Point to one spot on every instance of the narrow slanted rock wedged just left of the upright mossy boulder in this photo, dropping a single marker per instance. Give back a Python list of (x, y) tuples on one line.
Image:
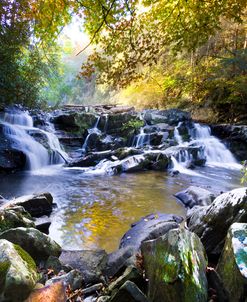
[(131, 273)]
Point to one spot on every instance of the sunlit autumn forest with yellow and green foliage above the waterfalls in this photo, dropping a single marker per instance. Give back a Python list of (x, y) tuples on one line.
[(151, 54)]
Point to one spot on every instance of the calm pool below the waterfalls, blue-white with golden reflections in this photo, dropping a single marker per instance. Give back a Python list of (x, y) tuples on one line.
[(94, 211)]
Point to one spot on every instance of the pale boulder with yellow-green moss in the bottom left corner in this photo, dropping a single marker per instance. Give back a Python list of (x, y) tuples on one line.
[(18, 274)]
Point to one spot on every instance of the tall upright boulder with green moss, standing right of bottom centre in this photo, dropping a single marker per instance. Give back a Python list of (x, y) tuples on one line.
[(175, 265)]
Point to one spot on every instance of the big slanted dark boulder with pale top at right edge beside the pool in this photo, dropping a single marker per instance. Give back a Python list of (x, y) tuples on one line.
[(211, 223)]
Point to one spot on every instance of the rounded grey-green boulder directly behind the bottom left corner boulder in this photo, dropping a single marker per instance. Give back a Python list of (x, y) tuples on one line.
[(37, 244)]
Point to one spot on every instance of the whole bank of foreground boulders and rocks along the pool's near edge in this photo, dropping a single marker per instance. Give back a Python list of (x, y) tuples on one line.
[(158, 259)]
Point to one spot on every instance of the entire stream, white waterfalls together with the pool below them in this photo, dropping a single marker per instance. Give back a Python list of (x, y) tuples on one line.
[(93, 209)]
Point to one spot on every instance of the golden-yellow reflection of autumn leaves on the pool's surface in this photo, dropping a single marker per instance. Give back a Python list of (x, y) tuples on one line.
[(100, 223)]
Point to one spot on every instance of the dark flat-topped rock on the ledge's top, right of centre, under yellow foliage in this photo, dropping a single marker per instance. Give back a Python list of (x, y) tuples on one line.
[(171, 116)]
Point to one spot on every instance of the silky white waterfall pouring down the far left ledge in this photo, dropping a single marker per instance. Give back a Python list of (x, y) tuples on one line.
[(18, 128)]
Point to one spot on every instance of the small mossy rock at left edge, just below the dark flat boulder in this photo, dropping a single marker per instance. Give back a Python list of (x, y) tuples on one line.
[(14, 217)]
